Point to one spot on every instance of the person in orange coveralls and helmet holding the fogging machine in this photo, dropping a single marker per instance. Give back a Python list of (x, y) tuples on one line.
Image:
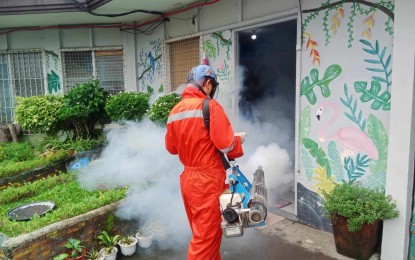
[(203, 178)]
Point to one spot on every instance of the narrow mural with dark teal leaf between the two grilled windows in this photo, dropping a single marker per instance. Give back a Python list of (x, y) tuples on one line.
[(52, 70)]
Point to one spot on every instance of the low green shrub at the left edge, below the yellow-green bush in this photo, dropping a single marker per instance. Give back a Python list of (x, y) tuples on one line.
[(16, 152)]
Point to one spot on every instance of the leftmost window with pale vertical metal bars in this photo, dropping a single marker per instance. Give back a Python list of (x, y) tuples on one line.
[(21, 74)]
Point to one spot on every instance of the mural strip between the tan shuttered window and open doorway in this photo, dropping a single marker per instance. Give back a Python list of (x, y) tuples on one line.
[(217, 49)]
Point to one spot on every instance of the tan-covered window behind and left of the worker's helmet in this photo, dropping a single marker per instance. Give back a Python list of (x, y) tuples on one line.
[(184, 55)]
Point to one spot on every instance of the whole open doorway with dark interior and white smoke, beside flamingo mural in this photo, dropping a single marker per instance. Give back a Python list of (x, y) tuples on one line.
[(267, 69)]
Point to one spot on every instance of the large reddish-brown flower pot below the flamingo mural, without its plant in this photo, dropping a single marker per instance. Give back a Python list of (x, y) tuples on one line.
[(360, 244)]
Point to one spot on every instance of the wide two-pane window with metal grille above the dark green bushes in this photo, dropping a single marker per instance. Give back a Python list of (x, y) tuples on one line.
[(105, 65)]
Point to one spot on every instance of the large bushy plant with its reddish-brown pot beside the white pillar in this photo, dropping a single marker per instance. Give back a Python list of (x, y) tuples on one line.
[(356, 213)]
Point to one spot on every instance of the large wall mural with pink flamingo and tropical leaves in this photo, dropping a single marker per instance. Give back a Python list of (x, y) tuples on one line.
[(344, 99)]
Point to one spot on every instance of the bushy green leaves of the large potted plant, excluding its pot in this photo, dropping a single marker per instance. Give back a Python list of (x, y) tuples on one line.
[(359, 205)]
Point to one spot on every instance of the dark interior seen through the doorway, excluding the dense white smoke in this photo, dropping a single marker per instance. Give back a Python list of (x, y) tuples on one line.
[(267, 94)]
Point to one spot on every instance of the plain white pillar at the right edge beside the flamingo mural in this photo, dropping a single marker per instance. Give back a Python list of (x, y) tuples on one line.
[(399, 182)]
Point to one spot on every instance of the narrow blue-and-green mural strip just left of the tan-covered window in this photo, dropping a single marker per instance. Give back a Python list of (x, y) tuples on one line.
[(150, 67)]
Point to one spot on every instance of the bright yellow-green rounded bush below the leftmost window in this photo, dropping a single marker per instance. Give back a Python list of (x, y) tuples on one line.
[(38, 113)]
